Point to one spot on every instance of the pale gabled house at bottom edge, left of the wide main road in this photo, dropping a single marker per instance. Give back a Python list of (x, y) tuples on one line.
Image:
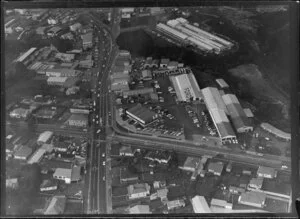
[(56, 206)]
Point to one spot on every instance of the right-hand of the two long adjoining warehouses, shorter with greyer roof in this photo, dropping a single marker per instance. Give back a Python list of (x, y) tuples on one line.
[(237, 114)]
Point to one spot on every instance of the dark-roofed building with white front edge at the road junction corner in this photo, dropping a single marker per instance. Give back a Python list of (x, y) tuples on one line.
[(141, 114)]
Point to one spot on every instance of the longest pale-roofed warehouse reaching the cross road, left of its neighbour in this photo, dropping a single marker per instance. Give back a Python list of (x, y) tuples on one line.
[(217, 110)]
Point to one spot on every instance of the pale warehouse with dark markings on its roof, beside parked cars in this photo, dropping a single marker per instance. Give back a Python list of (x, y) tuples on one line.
[(186, 87)]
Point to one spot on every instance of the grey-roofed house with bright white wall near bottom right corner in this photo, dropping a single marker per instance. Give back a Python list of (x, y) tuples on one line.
[(255, 199)]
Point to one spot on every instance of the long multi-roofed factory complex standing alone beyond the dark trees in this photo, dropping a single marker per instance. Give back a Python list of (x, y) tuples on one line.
[(181, 30)]
